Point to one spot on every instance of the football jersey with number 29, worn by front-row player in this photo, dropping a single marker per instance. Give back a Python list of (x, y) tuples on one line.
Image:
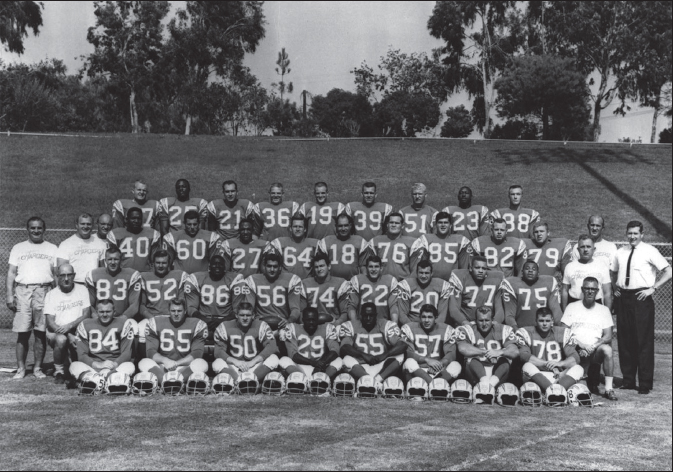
[(298, 341)]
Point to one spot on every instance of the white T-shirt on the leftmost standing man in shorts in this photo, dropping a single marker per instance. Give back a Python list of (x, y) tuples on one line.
[(34, 262)]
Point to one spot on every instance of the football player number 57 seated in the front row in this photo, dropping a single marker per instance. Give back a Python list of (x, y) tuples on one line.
[(431, 352)]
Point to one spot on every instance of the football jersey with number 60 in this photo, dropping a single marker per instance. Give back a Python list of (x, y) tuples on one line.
[(193, 253)]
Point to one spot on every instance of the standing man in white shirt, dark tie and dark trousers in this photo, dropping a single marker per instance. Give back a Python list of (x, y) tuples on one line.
[(634, 273)]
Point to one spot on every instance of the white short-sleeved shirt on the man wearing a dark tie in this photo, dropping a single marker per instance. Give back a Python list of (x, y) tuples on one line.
[(645, 264)]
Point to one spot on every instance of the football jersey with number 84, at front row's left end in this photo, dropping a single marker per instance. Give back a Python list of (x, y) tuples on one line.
[(98, 343)]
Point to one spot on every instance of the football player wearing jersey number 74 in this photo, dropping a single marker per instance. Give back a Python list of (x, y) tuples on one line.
[(326, 293)]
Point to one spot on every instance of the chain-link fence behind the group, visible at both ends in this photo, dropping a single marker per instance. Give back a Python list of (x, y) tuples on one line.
[(10, 236)]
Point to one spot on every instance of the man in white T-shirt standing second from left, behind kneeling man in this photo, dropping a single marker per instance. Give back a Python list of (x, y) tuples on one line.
[(81, 250)]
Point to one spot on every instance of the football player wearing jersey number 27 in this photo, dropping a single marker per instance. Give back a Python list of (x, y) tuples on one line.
[(244, 253)]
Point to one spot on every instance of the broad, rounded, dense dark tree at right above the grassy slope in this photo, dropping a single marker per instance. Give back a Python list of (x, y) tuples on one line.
[(549, 88)]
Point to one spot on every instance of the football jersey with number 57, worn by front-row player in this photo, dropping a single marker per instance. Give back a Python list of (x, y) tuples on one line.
[(436, 344)]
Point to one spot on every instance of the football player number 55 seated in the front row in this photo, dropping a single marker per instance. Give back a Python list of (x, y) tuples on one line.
[(371, 346)]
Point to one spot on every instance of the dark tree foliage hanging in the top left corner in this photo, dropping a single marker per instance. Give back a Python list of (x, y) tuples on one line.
[(15, 20)]
